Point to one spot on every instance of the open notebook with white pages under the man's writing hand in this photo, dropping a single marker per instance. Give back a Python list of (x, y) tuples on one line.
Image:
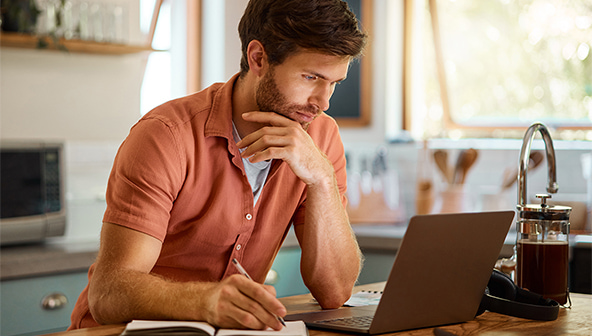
[(172, 328)]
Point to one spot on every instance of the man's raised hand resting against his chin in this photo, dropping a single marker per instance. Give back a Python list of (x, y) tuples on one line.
[(285, 139)]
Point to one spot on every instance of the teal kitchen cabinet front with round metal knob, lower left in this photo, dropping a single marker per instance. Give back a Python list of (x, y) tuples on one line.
[(39, 305)]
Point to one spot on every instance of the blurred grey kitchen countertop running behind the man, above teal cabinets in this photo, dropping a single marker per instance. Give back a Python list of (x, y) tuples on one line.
[(67, 257)]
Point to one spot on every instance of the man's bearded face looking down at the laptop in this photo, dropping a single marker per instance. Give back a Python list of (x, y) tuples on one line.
[(300, 87)]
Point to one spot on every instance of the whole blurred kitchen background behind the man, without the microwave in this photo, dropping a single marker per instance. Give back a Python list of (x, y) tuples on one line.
[(432, 118)]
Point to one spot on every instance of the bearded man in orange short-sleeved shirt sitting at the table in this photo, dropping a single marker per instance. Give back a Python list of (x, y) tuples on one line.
[(224, 173)]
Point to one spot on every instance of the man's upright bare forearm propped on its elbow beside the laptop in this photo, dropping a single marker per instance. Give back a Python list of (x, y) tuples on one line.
[(330, 254)]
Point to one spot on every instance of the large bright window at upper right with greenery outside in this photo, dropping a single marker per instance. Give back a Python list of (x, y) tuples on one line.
[(503, 64)]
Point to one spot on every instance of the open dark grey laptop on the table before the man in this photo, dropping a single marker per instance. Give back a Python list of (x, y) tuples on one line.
[(439, 276)]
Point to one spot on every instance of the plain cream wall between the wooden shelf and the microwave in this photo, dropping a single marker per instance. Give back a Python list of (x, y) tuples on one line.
[(57, 95)]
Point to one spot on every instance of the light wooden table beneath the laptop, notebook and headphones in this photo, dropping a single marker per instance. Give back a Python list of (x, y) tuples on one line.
[(574, 321)]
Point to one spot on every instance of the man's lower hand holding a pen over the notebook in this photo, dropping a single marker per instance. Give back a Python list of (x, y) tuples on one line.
[(238, 302)]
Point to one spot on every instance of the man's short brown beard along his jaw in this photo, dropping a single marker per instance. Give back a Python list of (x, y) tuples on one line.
[(270, 99)]
